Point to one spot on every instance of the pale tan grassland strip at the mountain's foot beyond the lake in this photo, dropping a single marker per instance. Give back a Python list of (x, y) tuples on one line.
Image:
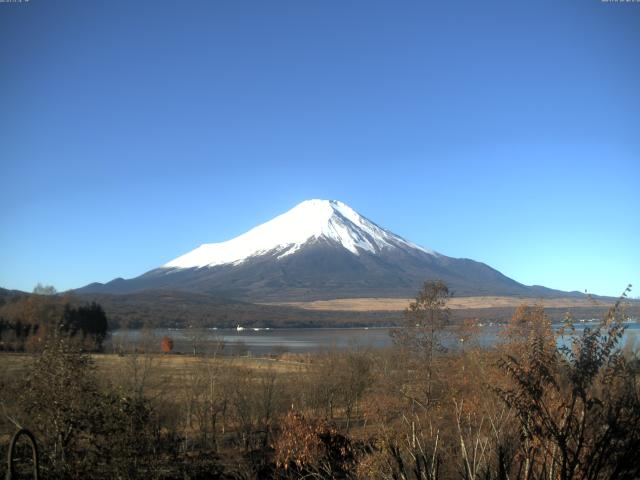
[(461, 303)]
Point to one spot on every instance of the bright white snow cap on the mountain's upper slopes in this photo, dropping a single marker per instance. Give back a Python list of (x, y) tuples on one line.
[(308, 221)]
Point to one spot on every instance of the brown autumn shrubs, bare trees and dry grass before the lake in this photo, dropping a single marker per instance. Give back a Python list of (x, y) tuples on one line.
[(525, 410)]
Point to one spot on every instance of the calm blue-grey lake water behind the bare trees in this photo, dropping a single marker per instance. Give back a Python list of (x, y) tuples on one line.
[(300, 340)]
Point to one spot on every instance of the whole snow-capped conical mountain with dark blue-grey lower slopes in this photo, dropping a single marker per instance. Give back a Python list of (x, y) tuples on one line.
[(320, 249)]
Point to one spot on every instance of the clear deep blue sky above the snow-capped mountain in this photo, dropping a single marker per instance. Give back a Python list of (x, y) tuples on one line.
[(507, 132)]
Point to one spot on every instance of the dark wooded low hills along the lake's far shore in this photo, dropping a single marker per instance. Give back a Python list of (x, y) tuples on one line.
[(180, 309)]
